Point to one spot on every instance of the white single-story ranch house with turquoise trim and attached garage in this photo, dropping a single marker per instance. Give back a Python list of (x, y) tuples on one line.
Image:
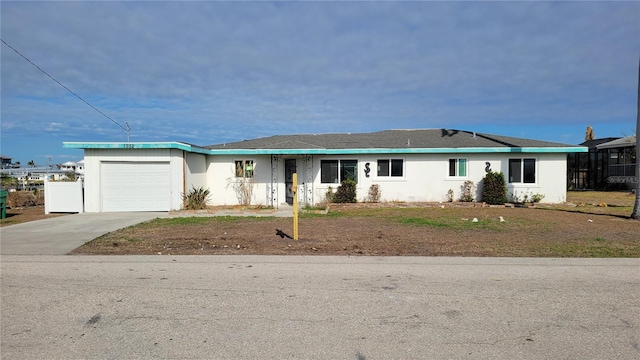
[(407, 165)]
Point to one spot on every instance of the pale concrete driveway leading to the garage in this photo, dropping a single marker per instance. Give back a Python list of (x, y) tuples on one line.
[(59, 235)]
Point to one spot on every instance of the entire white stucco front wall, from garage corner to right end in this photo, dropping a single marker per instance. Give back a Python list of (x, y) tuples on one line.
[(425, 177)]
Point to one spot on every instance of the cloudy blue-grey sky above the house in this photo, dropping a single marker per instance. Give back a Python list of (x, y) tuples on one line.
[(205, 72)]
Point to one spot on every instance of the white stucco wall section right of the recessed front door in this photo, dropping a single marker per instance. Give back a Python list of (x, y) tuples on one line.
[(425, 176)]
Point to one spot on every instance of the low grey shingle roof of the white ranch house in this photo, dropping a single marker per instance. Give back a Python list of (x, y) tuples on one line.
[(388, 139)]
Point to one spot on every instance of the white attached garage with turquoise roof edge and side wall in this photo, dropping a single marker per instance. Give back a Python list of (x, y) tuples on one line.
[(121, 177)]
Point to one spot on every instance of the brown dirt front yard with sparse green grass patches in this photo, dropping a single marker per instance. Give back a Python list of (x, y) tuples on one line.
[(580, 228)]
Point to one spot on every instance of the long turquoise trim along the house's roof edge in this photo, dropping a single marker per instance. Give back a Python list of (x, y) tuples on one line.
[(190, 148)]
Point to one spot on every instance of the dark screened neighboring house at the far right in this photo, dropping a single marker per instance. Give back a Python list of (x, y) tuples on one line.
[(608, 165)]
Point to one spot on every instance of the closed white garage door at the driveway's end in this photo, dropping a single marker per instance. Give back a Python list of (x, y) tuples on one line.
[(135, 186)]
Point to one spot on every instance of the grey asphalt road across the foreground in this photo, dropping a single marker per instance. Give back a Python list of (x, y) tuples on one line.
[(265, 307)]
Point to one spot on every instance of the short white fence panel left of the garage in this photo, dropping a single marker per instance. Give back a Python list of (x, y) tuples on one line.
[(63, 196)]
